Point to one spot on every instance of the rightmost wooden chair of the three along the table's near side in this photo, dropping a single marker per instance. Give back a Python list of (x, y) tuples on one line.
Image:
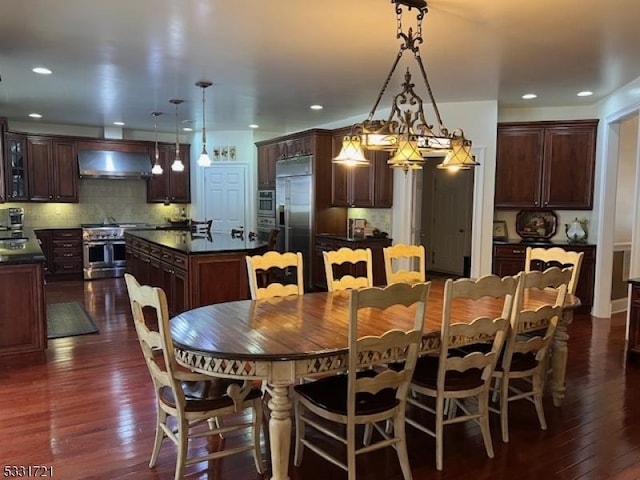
[(524, 358)]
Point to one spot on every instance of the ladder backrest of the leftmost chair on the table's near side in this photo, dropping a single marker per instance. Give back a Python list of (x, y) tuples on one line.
[(367, 352)]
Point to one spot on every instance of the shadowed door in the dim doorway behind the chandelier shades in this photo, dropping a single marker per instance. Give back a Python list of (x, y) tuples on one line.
[(447, 207)]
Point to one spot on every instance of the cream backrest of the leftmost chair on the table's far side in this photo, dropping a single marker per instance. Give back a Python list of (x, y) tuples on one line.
[(262, 263)]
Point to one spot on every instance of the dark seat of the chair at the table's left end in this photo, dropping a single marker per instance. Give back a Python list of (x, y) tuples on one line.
[(205, 395)]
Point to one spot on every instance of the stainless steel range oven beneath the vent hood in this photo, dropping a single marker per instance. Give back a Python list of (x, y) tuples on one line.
[(103, 252)]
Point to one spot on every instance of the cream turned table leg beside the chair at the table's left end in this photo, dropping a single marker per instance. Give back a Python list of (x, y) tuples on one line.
[(280, 431)]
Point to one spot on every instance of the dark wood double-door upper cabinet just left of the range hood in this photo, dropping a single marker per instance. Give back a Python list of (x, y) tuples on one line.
[(53, 170)]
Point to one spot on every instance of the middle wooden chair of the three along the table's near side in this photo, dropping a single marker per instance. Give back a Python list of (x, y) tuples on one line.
[(454, 374)]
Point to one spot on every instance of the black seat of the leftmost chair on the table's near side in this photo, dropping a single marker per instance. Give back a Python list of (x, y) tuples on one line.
[(330, 394)]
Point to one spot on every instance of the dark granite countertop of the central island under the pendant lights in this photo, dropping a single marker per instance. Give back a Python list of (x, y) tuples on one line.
[(184, 242)]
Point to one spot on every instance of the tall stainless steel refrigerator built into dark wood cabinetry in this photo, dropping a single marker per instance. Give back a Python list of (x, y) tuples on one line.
[(294, 208)]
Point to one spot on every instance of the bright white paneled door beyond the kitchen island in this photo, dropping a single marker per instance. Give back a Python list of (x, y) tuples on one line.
[(225, 197)]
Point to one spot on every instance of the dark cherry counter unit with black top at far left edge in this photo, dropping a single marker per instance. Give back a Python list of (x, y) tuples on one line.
[(23, 323)]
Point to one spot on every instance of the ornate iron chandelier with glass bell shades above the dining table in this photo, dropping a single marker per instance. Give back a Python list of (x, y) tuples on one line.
[(405, 133)]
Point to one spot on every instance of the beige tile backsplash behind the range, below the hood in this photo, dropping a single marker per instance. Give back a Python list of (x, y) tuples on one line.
[(125, 200)]
